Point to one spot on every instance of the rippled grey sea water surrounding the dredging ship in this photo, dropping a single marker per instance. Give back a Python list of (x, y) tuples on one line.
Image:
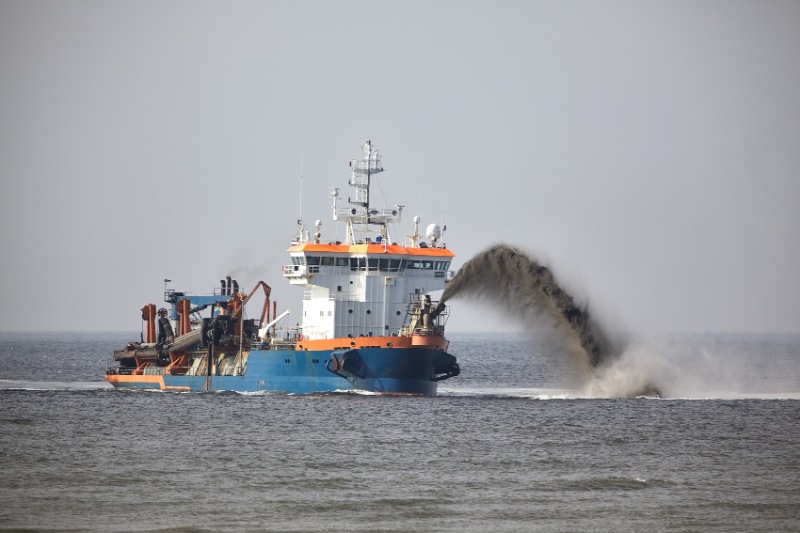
[(517, 442)]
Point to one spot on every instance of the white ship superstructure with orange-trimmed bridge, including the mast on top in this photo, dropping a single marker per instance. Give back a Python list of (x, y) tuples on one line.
[(364, 286)]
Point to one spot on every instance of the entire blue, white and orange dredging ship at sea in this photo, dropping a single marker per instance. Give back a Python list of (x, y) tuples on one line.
[(368, 321)]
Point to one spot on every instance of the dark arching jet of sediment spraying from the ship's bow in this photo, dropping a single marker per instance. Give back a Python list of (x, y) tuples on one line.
[(510, 278)]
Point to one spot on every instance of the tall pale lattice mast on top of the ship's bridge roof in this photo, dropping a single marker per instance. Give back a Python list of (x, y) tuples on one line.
[(360, 216)]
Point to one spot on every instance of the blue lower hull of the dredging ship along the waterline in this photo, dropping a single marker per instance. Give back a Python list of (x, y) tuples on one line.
[(378, 370)]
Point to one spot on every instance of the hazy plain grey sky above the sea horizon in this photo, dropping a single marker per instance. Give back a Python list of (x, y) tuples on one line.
[(649, 151)]
